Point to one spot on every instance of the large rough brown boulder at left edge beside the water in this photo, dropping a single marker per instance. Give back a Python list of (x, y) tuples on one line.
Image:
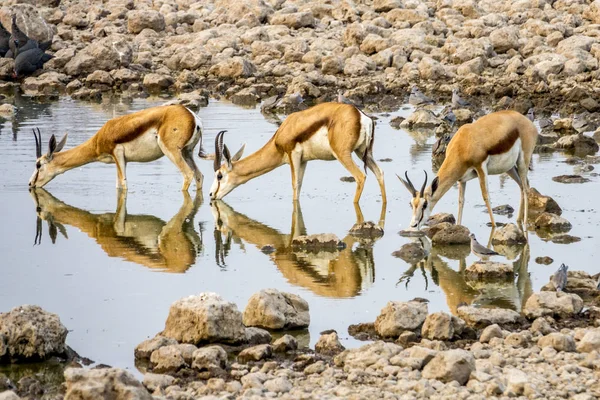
[(31, 333)]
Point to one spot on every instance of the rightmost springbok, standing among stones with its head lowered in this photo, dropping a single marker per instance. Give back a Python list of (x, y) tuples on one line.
[(494, 144)]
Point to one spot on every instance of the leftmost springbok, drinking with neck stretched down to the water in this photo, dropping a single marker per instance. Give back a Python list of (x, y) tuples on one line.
[(143, 136)]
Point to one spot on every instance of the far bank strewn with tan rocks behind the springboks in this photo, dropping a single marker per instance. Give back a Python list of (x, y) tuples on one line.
[(512, 54)]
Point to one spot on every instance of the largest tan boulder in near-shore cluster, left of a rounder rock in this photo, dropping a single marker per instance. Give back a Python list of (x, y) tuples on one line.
[(204, 318)]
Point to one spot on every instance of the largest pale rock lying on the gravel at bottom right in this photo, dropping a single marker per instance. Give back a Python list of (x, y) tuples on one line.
[(451, 365)]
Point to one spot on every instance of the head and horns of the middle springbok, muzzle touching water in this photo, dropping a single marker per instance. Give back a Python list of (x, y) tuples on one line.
[(224, 164)]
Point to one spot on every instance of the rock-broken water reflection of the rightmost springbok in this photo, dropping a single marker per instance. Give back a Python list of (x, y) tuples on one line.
[(459, 291)]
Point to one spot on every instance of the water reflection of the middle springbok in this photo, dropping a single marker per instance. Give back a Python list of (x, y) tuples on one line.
[(339, 273)]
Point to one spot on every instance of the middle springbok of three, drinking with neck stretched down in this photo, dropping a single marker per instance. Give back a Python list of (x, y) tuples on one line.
[(328, 131)]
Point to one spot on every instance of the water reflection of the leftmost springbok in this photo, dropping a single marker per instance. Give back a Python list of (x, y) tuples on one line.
[(144, 239)]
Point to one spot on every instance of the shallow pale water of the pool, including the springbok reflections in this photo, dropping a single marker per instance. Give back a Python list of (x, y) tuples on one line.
[(117, 264)]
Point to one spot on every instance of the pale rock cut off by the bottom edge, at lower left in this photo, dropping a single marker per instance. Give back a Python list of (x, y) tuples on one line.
[(105, 383)]
